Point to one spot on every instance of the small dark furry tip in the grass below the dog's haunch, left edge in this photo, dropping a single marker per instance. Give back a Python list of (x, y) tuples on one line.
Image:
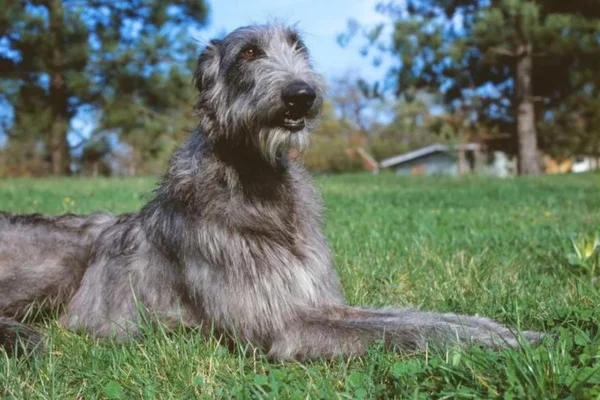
[(19, 339)]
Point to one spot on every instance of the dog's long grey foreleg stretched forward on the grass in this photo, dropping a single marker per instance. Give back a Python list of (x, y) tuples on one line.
[(350, 330)]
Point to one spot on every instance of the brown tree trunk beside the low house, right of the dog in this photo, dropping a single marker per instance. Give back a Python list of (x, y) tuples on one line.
[(529, 162)]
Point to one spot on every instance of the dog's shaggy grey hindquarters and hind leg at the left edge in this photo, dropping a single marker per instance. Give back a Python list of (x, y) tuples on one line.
[(42, 261)]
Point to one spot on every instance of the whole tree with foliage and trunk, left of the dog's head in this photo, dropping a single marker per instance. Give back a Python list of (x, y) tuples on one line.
[(61, 59)]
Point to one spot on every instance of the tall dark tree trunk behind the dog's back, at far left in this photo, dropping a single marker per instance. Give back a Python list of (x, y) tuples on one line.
[(59, 146)]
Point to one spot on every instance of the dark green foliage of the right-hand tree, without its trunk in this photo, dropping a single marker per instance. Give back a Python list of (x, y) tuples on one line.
[(467, 49)]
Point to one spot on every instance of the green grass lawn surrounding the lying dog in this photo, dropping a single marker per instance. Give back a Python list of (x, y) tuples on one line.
[(472, 245)]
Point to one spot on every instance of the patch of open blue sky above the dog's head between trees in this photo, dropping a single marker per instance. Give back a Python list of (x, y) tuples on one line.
[(319, 20)]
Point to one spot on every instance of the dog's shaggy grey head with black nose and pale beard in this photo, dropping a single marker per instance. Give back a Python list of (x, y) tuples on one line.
[(258, 84)]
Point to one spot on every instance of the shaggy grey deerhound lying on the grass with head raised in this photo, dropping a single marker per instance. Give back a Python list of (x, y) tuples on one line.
[(232, 237)]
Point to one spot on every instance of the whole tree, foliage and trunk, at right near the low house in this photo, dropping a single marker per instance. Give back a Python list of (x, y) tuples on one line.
[(523, 59)]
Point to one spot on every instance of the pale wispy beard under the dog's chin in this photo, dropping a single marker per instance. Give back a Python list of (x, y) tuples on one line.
[(277, 141)]
